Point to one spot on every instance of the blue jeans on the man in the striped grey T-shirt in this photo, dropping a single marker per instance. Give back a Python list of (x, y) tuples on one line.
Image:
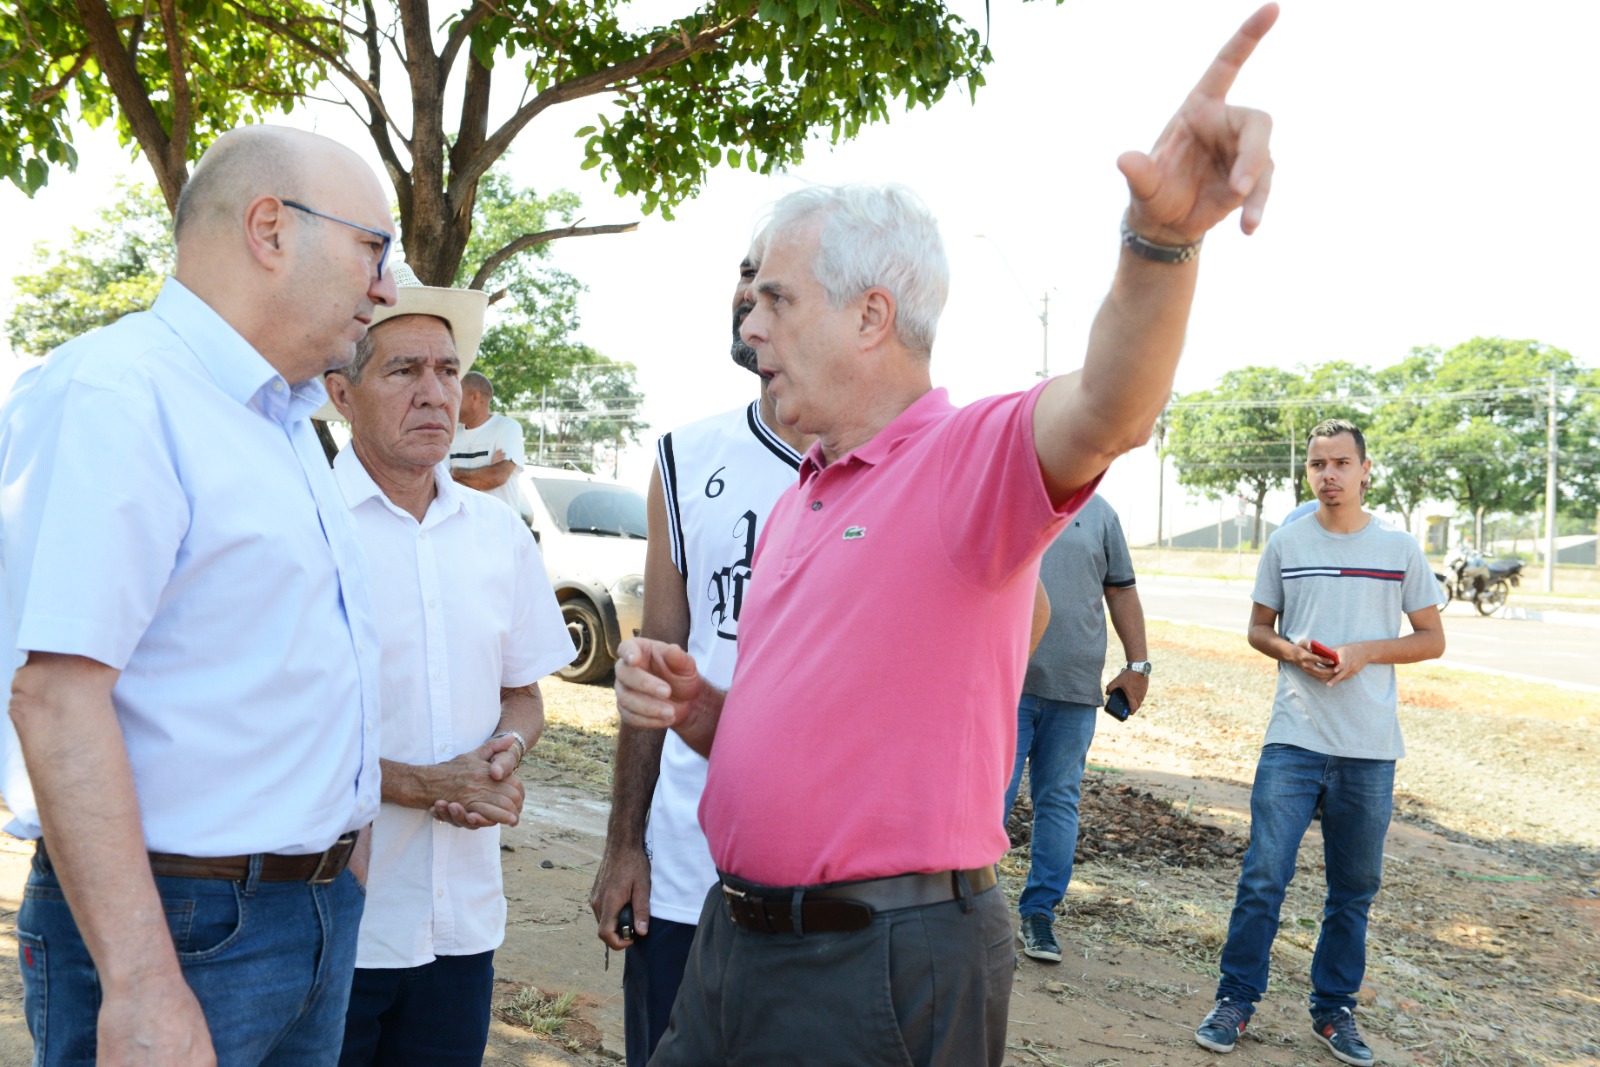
[(1356, 799)]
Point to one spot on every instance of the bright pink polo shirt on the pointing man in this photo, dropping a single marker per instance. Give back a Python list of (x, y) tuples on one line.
[(871, 722)]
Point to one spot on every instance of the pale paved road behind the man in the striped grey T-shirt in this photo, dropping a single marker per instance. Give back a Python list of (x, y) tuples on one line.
[(1550, 652)]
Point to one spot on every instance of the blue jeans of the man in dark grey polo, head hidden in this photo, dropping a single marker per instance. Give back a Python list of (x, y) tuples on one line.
[(1054, 737)]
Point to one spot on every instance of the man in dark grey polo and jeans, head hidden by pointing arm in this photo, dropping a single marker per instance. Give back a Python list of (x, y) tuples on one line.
[(1062, 700)]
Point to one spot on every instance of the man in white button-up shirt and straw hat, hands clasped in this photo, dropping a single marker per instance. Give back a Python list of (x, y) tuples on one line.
[(468, 626)]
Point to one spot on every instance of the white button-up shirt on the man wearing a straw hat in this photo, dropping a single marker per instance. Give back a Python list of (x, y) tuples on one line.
[(465, 607)]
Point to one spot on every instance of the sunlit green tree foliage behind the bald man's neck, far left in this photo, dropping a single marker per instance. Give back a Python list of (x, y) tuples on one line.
[(97, 278)]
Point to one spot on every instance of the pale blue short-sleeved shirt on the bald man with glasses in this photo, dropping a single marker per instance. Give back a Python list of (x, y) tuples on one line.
[(166, 510)]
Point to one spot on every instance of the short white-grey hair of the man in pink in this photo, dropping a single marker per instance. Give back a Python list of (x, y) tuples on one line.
[(873, 236)]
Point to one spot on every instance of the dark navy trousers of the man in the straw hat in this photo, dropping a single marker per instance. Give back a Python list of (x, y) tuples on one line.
[(434, 1015)]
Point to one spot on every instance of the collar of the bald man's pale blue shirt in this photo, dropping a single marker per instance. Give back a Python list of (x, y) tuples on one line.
[(230, 361)]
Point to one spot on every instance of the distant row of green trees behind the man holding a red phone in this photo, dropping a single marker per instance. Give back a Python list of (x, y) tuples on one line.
[(1466, 426)]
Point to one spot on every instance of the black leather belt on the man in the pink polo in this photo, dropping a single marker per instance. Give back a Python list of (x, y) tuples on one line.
[(849, 906)]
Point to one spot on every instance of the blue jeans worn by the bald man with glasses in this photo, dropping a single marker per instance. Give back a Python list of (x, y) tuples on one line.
[(270, 962)]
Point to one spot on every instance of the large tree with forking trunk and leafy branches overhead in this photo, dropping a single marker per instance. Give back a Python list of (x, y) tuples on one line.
[(740, 82)]
